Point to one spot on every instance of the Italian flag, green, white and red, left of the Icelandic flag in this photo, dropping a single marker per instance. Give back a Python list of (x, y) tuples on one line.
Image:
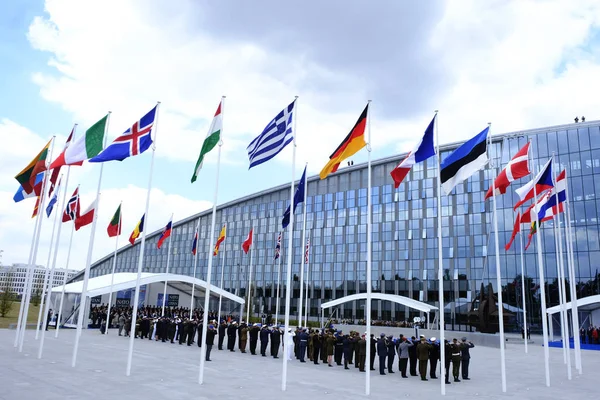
[(84, 147)]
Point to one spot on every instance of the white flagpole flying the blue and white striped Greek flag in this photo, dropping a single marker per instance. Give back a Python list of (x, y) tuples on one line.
[(290, 249)]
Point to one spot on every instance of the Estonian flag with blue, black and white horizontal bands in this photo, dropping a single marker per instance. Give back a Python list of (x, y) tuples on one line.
[(464, 161)]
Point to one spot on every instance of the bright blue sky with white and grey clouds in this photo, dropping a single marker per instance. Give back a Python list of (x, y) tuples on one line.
[(517, 64)]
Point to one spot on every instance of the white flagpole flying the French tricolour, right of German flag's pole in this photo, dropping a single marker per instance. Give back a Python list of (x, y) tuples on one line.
[(440, 262)]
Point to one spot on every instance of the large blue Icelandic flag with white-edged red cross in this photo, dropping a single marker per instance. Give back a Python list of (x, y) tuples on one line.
[(132, 142)]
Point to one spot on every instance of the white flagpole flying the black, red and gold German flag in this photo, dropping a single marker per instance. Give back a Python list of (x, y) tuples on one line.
[(369, 260)]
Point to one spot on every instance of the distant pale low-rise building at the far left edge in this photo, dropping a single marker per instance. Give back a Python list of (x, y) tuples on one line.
[(14, 277)]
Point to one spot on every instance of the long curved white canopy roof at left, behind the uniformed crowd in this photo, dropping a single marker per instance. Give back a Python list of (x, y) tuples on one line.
[(126, 280)]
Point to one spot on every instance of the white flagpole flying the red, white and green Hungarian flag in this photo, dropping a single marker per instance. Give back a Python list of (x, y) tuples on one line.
[(210, 259)]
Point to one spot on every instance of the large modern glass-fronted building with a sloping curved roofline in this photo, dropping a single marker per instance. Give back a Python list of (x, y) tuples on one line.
[(405, 249)]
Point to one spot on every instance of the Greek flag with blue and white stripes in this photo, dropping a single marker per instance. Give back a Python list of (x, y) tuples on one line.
[(278, 134)]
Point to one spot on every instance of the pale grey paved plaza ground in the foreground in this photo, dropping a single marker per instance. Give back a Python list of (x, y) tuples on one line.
[(170, 371)]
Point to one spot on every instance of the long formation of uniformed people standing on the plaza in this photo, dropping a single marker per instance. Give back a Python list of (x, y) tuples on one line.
[(331, 347)]
